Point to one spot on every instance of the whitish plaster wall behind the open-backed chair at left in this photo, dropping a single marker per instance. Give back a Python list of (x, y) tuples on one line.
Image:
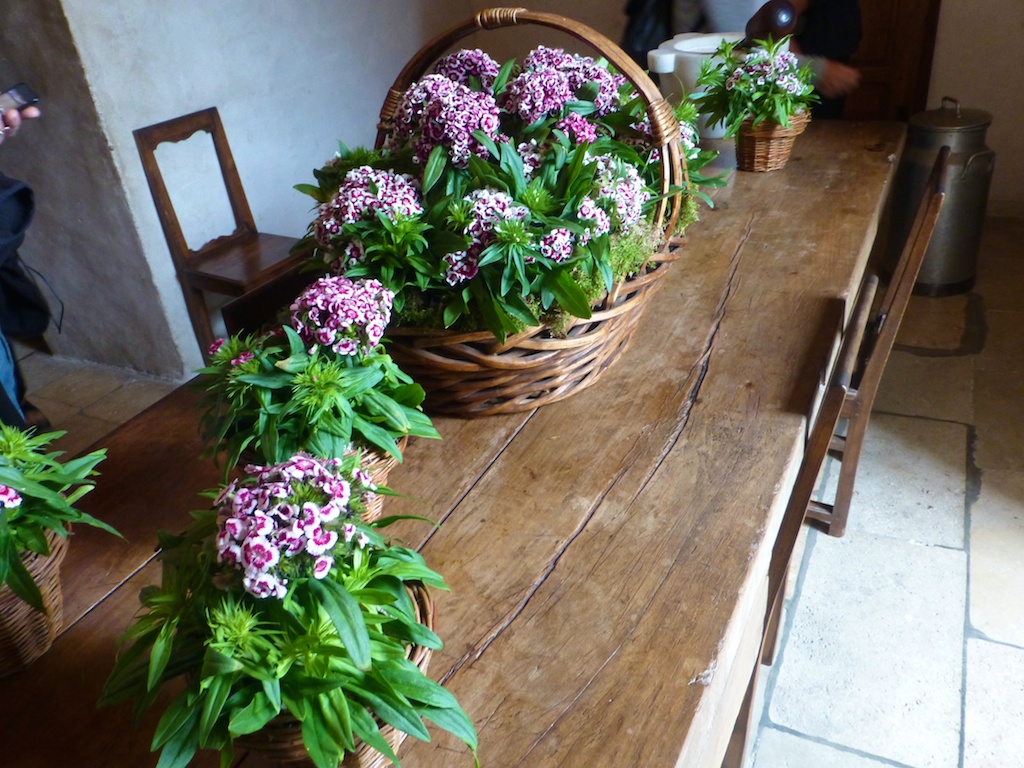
[(289, 78)]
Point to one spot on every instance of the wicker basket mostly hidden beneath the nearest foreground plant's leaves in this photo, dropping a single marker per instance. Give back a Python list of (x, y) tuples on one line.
[(280, 743)]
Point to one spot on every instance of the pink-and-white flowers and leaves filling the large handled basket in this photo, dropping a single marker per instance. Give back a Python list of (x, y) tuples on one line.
[(504, 197)]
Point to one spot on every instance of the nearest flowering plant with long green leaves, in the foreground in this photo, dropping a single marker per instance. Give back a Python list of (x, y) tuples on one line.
[(281, 602)]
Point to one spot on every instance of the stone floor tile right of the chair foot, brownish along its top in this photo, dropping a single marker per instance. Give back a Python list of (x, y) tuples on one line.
[(912, 481)]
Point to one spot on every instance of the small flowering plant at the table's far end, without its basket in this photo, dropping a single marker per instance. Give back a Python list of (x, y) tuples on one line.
[(763, 83)]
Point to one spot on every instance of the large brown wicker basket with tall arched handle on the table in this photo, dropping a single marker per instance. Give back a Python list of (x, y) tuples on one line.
[(476, 374)]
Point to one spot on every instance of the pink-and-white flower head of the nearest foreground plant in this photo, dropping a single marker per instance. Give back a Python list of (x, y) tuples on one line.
[(289, 523)]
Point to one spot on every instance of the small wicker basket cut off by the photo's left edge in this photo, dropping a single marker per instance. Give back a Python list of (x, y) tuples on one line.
[(25, 633)]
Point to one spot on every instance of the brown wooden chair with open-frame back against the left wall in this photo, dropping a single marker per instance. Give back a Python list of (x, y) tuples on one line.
[(255, 269)]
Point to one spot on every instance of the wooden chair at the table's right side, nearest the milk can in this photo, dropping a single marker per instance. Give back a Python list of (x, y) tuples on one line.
[(879, 339)]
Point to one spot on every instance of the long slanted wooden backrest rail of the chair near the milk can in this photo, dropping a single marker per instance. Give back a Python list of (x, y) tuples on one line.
[(883, 329)]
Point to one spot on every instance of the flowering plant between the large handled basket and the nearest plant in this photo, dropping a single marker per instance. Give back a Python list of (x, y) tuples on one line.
[(321, 383)]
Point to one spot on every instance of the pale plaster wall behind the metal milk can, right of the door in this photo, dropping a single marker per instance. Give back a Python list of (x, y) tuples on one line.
[(978, 62)]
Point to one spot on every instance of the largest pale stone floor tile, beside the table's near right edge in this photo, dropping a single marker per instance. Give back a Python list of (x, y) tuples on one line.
[(873, 659)]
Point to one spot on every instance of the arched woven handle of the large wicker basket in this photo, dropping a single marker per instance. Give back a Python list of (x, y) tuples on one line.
[(665, 127)]
